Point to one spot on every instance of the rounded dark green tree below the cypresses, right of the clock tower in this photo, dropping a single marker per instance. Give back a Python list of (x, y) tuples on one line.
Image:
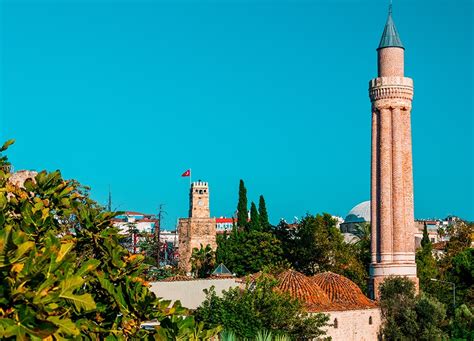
[(247, 252)]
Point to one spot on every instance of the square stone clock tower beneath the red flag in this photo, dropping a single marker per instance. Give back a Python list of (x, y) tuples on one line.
[(199, 228)]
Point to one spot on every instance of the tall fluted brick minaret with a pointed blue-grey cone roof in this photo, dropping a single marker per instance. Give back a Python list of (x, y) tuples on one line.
[(392, 215)]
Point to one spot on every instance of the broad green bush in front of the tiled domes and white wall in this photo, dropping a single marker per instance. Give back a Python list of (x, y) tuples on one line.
[(257, 307)]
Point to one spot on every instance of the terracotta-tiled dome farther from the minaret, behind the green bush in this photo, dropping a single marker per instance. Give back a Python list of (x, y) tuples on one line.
[(303, 288)]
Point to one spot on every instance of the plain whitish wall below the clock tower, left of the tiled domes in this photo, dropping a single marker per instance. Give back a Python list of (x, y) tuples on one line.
[(190, 293)]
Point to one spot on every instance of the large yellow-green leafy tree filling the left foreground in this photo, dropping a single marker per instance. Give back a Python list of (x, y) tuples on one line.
[(63, 272)]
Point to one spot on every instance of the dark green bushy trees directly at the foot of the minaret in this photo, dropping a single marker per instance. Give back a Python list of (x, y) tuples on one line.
[(406, 317)]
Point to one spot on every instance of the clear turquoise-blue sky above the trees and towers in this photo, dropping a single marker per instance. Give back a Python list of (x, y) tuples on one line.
[(131, 94)]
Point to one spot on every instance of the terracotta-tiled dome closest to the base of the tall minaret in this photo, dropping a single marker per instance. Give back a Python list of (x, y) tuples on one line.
[(342, 292)]
